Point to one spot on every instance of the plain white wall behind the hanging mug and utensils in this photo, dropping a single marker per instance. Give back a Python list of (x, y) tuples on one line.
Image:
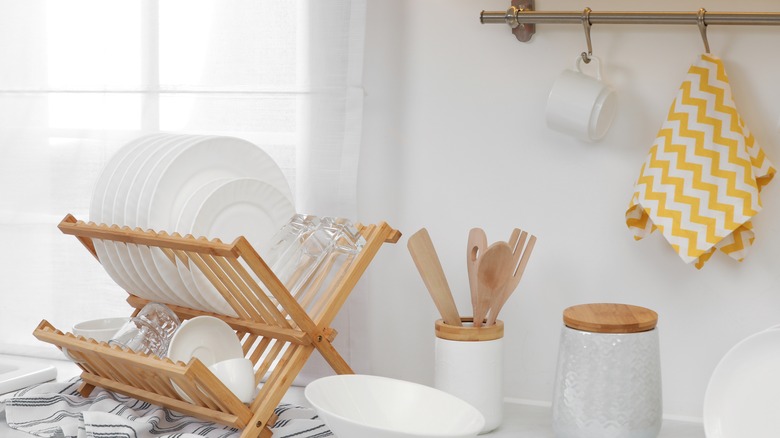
[(454, 137)]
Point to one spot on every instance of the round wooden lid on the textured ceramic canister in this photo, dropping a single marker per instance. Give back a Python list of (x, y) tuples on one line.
[(610, 318)]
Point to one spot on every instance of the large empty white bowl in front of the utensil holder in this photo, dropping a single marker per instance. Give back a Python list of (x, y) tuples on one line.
[(359, 406)]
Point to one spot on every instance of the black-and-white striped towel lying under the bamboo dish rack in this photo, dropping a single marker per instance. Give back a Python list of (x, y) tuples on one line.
[(57, 410)]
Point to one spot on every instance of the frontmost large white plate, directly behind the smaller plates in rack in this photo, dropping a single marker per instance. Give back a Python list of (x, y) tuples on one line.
[(176, 178)]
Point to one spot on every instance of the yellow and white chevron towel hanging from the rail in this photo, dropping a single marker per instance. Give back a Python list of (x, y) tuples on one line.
[(701, 181)]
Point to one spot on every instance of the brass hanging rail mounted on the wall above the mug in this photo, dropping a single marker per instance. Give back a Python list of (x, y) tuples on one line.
[(522, 17)]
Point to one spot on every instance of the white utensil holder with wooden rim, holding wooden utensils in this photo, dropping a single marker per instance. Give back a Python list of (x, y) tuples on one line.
[(469, 365)]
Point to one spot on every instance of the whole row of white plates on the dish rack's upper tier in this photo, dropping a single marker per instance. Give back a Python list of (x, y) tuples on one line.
[(217, 187)]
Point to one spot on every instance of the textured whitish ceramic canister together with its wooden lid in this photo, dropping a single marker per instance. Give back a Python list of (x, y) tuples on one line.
[(608, 381)]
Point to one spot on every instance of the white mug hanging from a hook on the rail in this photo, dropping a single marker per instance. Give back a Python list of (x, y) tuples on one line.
[(581, 105)]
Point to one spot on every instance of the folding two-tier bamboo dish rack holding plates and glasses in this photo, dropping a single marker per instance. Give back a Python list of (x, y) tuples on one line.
[(276, 333)]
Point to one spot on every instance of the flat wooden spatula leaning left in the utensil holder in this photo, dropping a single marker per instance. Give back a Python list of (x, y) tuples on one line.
[(428, 264)]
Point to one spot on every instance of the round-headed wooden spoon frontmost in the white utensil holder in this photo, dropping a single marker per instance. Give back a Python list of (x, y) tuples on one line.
[(494, 270)]
